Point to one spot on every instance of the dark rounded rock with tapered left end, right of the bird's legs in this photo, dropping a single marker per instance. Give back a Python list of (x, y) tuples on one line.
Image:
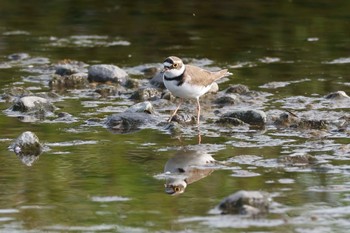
[(252, 117)]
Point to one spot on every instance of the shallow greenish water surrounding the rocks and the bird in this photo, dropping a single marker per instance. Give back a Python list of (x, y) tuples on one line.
[(90, 180)]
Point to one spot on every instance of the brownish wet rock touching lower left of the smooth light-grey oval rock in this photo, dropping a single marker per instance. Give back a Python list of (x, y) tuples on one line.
[(76, 80)]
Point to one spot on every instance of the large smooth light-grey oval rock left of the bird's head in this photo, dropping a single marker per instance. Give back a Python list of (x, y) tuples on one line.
[(106, 73)]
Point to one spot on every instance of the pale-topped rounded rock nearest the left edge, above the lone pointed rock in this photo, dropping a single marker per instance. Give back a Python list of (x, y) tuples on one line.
[(33, 104)]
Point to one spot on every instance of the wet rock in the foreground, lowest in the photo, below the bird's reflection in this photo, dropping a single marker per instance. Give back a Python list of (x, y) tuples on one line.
[(245, 203)]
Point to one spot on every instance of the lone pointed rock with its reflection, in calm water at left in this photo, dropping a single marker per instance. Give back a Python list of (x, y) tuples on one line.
[(27, 147)]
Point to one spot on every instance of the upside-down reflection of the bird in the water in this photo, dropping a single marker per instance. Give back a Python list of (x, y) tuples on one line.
[(186, 167)]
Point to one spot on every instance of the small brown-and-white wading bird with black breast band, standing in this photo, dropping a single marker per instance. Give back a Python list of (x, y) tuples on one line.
[(188, 81)]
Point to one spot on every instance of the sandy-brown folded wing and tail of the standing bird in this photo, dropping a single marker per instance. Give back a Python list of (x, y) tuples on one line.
[(199, 76)]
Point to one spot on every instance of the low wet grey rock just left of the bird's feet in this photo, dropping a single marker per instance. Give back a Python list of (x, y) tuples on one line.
[(126, 122)]
